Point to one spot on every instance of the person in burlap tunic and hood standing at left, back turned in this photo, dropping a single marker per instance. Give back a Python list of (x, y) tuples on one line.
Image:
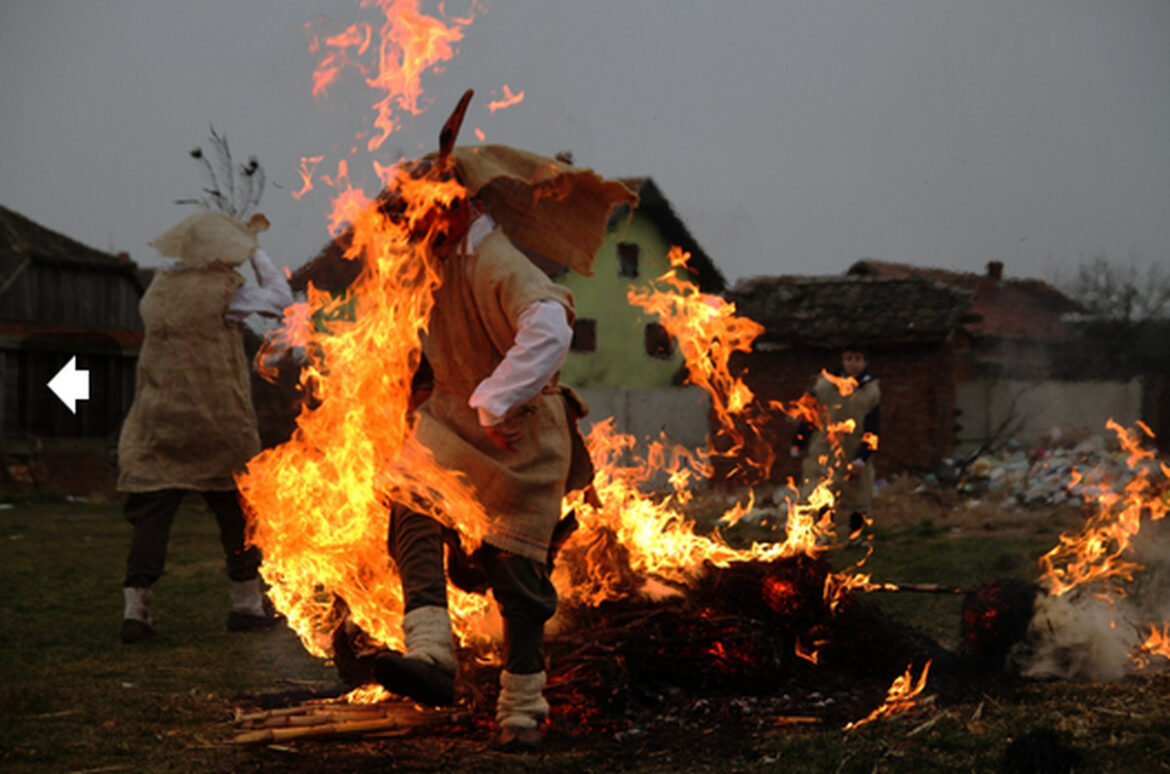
[(192, 424)]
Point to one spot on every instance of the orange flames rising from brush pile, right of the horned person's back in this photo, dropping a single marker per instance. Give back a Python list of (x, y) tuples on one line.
[(655, 534)]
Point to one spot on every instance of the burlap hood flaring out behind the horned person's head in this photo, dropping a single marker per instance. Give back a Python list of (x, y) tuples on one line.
[(543, 206)]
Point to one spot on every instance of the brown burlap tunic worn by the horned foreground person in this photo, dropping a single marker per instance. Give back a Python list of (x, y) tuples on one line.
[(473, 326)]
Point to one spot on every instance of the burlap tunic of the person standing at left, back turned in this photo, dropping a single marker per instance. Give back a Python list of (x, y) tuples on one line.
[(192, 423)]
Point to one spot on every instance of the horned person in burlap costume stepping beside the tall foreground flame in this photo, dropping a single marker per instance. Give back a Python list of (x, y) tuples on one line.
[(499, 333)]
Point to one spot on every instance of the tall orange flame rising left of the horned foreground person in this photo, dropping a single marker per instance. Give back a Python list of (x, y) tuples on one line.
[(319, 503)]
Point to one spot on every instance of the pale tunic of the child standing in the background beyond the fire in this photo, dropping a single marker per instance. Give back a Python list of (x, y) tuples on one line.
[(856, 493)]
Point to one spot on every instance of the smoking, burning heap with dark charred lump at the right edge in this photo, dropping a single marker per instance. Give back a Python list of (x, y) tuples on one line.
[(1099, 610)]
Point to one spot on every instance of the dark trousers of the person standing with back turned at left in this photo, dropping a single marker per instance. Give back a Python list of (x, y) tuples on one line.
[(153, 514)]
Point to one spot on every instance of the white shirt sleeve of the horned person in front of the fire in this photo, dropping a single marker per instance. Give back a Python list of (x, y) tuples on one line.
[(542, 343)]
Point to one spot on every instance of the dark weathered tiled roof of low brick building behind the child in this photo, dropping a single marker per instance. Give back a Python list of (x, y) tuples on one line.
[(832, 312)]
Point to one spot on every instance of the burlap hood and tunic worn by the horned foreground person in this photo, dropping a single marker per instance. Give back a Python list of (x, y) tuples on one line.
[(559, 212)]
